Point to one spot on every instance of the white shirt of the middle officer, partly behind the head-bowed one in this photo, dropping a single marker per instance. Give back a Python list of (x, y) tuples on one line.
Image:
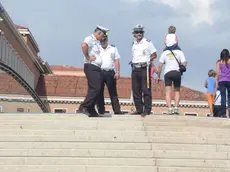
[(108, 56)]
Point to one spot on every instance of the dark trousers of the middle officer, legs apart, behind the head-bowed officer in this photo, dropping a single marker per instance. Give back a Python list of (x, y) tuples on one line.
[(107, 77)]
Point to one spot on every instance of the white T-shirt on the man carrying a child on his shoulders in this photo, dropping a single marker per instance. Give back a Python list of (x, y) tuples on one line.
[(169, 60)]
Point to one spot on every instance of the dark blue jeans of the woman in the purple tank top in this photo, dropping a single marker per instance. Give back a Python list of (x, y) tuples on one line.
[(224, 86)]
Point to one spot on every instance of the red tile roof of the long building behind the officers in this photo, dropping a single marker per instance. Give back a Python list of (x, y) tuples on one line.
[(76, 86)]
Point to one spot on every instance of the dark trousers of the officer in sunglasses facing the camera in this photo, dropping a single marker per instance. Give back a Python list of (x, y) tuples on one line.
[(139, 86)]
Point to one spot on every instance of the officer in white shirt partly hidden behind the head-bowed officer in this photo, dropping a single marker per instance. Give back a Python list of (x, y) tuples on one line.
[(110, 73)]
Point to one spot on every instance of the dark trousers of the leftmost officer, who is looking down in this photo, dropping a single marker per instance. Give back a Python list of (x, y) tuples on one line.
[(93, 75)]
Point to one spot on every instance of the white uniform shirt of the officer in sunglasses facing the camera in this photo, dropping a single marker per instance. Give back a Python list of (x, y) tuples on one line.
[(141, 51)]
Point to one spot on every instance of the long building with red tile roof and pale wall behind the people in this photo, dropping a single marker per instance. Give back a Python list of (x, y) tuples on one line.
[(66, 88)]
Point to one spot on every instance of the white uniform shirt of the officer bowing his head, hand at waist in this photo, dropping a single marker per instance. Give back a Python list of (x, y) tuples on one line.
[(93, 50)]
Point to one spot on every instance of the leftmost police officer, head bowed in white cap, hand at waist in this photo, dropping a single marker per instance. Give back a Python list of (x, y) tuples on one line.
[(92, 70)]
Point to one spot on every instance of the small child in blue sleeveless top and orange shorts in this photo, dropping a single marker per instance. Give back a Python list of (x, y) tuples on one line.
[(210, 84)]
